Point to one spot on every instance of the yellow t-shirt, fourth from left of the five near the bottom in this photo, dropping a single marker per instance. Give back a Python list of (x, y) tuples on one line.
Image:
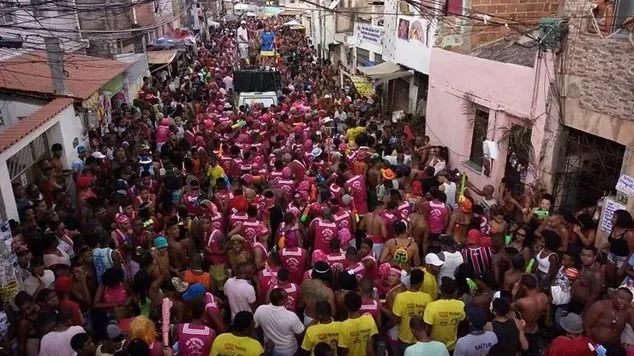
[(406, 305)]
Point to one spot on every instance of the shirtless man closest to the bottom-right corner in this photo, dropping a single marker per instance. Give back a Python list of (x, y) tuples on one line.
[(605, 320)]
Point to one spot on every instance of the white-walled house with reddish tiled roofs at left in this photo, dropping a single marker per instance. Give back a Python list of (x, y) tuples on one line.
[(34, 116)]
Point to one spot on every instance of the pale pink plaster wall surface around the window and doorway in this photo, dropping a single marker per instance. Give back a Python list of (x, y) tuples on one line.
[(512, 93)]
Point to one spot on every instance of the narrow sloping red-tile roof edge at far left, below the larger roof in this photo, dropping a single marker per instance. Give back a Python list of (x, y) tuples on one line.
[(15, 133)]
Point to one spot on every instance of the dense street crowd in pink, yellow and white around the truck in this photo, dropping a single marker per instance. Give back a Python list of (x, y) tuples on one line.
[(316, 226)]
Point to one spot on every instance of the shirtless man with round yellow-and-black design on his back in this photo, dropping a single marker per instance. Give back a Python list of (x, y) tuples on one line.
[(401, 250)]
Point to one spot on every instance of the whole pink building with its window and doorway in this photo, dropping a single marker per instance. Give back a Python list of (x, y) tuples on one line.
[(500, 99)]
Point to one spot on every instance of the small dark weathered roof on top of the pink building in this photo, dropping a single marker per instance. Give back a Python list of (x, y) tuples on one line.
[(520, 50)]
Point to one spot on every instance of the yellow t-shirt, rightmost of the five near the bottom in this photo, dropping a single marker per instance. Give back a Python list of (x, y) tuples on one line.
[(444, 315)]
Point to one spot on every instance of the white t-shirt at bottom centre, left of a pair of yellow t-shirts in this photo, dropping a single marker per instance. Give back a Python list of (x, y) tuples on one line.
[(280, 326)]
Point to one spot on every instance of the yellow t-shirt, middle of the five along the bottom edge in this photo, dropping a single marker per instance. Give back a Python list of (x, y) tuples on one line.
[(354, 334)]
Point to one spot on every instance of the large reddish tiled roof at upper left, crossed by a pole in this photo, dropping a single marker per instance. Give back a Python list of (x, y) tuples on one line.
[(29, 72)]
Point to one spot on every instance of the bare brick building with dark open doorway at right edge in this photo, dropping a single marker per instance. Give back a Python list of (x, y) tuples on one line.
[(591, 116)]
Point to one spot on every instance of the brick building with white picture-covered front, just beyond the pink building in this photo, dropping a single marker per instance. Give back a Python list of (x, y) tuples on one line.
[(411, 32)]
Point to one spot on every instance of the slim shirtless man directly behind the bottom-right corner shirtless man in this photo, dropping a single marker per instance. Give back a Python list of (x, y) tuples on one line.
[(587, 288)]
